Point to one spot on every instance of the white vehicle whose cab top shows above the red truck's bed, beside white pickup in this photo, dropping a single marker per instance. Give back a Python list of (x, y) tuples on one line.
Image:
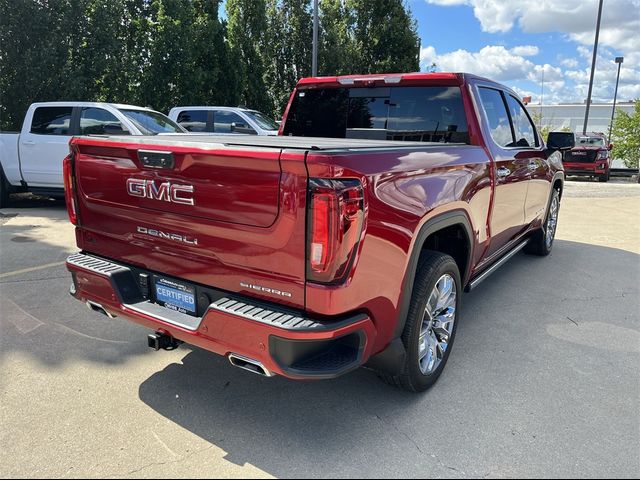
[(224, 120)]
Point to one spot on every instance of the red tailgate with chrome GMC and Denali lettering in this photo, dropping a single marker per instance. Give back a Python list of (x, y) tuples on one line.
[(230, 217)]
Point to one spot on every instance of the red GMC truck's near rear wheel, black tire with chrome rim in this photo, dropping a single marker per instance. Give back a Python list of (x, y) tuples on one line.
[(431, 322)]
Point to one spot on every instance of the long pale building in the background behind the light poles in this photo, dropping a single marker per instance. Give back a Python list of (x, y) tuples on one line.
[(571, 115)]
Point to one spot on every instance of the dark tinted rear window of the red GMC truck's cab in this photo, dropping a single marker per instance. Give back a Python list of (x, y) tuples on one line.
[(427, 114)]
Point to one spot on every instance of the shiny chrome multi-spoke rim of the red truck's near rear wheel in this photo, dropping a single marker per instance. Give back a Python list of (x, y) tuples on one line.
[(437, 324)]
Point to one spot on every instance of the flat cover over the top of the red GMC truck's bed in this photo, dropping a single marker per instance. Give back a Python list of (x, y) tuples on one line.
[(279, 142)]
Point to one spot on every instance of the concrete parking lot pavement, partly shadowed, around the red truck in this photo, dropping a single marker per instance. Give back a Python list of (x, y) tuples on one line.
[(543, 381)]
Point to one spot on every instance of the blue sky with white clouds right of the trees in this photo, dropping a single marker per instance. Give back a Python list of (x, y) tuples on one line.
[(515, 41)]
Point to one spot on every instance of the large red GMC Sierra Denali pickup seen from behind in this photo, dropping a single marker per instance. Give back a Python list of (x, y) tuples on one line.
[(309, 257)]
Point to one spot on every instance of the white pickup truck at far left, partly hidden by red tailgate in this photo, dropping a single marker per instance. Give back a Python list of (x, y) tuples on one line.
[(32, 159)]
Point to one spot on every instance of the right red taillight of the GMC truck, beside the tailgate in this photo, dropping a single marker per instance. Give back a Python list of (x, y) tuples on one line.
[(336, 217)]
